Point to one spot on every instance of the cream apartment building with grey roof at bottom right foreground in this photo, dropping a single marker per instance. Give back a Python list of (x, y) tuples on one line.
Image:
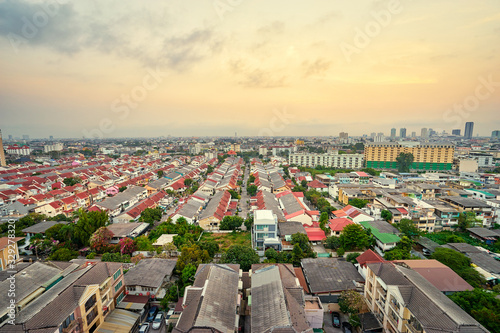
[(404, 301)]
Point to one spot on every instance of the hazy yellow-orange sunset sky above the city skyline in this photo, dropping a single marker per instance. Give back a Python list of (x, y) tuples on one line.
[(215, 67)]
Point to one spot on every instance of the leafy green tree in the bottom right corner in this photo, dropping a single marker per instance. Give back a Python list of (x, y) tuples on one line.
[(481, 305)]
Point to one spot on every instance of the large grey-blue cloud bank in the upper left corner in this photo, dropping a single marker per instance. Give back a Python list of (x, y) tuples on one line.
[(142, 35)]
